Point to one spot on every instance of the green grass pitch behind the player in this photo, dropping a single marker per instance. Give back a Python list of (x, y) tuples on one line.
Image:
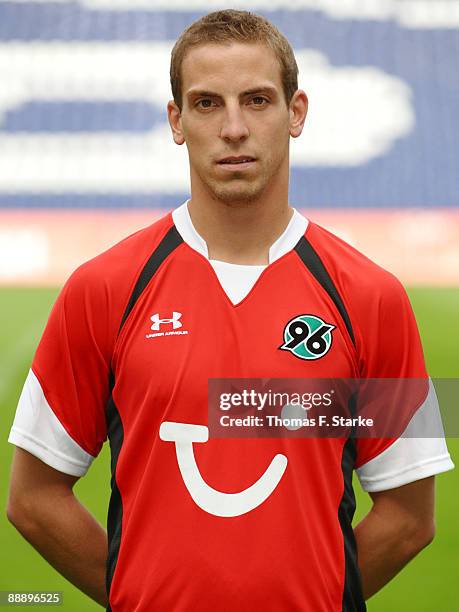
[(429, 583)]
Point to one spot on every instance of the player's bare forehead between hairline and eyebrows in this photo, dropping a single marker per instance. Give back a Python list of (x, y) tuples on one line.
[(230, 67)]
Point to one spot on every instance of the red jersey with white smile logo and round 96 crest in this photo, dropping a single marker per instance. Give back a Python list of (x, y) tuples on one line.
[(128, 351)]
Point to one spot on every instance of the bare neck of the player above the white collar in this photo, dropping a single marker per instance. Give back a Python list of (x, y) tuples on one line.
[(240, 232)]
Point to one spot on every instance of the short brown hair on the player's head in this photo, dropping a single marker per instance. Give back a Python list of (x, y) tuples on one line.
[(227, 26)]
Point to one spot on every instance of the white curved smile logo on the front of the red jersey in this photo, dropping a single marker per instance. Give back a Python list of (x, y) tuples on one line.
[(208, 499)]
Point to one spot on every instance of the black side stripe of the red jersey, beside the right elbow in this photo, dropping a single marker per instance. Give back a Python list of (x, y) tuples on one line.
[(353, 600)]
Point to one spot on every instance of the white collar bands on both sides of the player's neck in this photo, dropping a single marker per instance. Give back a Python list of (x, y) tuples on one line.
[(285, 243)]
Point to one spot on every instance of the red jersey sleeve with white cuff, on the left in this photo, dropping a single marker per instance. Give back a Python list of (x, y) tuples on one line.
[(60, 416)]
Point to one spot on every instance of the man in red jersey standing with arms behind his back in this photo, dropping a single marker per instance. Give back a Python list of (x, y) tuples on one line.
[(209, 292)]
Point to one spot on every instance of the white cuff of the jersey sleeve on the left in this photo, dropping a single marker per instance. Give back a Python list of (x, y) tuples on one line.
[(37, 430)]
